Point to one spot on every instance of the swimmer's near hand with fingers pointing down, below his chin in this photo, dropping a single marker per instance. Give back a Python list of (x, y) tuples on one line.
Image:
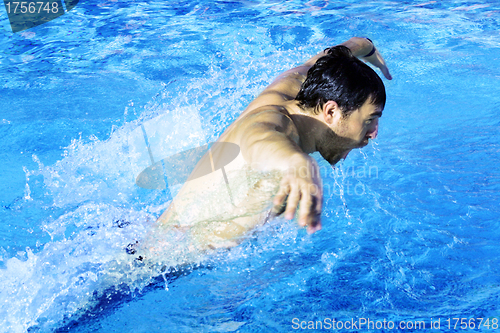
[(301, 184)]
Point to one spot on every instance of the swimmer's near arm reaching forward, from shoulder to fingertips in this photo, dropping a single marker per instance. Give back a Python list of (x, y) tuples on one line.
[(269, 141)]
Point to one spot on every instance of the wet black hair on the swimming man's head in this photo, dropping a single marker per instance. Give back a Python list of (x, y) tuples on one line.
[(341, 77)]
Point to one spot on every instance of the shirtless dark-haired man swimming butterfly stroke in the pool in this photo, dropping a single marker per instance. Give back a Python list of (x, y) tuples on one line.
[(330, 104)]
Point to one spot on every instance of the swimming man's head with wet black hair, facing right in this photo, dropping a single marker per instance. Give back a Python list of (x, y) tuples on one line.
[(348, 96)]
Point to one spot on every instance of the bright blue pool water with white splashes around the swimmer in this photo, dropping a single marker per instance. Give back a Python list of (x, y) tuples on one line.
[(410, 223)]
